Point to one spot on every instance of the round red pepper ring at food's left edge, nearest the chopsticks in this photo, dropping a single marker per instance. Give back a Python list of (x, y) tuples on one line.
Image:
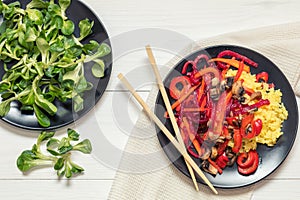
[(180, 81)]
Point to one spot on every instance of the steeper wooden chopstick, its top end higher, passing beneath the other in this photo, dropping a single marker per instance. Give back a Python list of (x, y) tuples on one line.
[(169, 109)]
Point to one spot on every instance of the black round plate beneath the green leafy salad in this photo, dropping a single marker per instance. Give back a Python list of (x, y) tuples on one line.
[(65, 114)]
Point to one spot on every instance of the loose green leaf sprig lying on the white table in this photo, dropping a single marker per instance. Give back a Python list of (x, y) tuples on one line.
[(58, 156)]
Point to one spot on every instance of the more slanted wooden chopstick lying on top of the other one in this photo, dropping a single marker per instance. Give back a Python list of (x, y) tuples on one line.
[(167, 133)]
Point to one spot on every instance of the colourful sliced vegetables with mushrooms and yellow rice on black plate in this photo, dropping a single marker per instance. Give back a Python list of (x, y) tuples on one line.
[(224, 111)]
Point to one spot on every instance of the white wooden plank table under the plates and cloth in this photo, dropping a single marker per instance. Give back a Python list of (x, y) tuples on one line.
[(193, 19)]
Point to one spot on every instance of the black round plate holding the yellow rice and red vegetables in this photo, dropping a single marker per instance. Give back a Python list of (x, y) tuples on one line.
[(271, 158)]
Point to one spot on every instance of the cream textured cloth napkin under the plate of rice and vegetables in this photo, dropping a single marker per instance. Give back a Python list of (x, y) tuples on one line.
[(146, 173)]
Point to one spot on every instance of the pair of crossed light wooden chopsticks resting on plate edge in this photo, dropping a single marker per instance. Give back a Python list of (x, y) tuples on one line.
[(179, 145)]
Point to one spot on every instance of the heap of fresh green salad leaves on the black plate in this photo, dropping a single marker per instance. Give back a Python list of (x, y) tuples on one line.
[(43, 59)]
